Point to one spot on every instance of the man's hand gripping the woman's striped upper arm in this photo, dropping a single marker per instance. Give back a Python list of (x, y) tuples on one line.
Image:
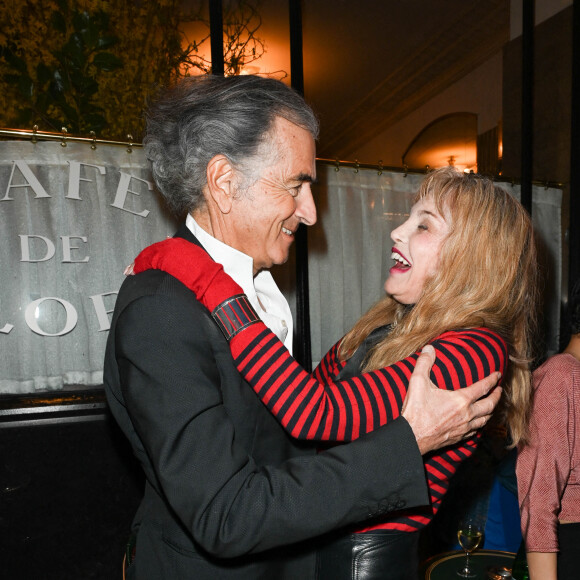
[(439, 417)]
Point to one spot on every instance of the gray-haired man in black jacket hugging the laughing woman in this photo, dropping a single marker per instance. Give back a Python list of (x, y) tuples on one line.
[(228, 494)]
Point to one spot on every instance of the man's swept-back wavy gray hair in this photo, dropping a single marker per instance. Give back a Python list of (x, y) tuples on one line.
[(201, 117)]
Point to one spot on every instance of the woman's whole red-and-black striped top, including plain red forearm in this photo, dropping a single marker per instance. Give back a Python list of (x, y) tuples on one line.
[(320, 407)]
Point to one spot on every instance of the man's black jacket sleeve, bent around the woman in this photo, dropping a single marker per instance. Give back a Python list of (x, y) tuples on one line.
[(172, 388)]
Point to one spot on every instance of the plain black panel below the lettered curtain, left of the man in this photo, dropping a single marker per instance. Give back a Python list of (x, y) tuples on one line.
[(69, 488)]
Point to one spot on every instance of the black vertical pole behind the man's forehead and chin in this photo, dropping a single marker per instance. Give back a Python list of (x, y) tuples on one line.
[(303, 351)]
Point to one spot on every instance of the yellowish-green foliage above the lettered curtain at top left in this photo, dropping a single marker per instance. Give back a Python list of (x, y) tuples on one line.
[(91, 65)]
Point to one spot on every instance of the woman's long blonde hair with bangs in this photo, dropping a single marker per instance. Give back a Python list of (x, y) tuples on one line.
[(487, 276)]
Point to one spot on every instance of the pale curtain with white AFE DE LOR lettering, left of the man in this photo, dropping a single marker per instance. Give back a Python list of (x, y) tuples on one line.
[(72, 219)]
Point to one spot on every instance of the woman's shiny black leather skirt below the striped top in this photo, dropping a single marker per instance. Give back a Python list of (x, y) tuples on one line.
[(381, 555)]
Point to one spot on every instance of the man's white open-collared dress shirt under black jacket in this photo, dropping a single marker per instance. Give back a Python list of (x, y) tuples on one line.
[(261, 290)]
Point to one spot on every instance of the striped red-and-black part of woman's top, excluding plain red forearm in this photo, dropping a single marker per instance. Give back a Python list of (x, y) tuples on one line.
[(318, 407)]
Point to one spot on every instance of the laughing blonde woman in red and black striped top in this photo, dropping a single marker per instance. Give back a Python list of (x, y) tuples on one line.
[(463, 281)]
